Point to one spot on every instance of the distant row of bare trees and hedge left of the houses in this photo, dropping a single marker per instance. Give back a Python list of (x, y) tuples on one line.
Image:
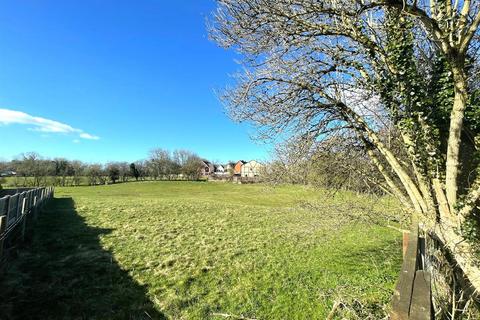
[(31, 169)]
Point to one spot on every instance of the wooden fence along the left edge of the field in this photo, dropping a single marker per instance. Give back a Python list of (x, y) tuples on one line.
[(16, 209)]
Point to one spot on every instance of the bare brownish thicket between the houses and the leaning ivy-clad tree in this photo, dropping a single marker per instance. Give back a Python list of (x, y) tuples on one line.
[(329, 164)]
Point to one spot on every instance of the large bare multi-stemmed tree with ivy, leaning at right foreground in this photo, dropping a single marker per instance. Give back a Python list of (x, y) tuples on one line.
[(353, 68)]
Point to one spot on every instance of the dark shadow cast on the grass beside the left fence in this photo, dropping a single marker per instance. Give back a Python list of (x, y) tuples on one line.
[(64, 273)]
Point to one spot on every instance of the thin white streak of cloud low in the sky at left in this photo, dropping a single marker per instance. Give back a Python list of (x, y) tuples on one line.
[(41, 124)]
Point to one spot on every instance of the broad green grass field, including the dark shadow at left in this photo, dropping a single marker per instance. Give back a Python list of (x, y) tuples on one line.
[(185, 250)]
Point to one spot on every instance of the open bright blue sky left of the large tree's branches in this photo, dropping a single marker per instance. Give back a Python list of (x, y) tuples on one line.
[(110, 80)]
